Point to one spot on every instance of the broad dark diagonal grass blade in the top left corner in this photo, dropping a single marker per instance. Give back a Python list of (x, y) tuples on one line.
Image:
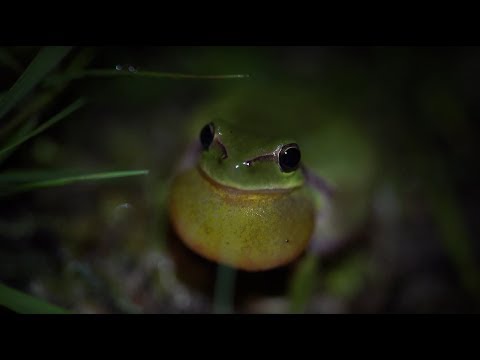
[(41, 65)]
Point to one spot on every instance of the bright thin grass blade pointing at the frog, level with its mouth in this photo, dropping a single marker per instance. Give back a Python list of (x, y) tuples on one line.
[(73, 179)]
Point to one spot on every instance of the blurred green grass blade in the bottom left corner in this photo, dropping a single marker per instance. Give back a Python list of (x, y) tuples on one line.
[(26, 304)]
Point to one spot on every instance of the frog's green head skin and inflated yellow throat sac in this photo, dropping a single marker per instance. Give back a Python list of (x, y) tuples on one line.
[(238, 207)]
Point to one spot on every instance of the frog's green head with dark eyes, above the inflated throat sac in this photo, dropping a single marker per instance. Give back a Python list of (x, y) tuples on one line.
[(235, 158)]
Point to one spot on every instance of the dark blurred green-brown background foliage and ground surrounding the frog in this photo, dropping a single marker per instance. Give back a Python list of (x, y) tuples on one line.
[(393, 128)]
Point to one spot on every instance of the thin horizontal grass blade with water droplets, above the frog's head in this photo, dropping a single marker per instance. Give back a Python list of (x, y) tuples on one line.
[(146, 74)]
